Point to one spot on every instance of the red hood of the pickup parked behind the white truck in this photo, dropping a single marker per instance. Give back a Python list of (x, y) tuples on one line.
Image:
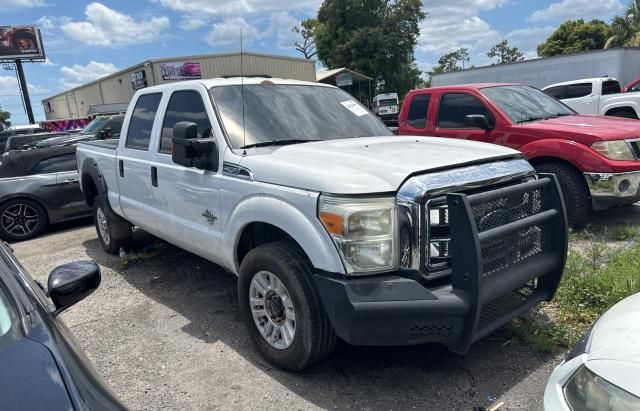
[(591, 128)]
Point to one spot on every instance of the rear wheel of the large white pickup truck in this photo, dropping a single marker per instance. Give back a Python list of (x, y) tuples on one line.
[(113, 231)]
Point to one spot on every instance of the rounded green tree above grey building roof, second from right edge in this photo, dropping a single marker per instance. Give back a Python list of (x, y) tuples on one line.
[(574, 36)]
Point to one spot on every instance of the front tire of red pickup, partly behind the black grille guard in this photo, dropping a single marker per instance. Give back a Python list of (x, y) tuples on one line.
[(575, 192)]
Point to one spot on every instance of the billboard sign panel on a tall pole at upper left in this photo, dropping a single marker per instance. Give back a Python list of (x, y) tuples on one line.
[(20, 43)]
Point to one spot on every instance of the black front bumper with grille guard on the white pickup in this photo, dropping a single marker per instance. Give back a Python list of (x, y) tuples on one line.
[(404, 308)]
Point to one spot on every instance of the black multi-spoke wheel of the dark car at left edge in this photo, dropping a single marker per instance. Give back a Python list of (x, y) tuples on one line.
[(21, 219)]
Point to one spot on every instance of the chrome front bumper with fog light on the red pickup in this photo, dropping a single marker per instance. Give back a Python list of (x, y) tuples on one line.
[(613, 189)]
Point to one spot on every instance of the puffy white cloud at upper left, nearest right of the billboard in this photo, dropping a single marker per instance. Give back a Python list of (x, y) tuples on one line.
[(108, 27)]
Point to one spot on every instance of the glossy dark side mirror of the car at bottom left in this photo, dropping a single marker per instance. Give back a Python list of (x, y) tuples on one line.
[(70, 283)]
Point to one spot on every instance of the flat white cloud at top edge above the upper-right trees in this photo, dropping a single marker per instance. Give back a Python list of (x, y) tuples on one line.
[(574, 9)]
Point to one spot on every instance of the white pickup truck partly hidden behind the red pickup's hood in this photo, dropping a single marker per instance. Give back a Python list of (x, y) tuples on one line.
[(600, 95)]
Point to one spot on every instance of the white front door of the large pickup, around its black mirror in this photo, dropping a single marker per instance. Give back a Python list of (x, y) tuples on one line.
[(187, 199)]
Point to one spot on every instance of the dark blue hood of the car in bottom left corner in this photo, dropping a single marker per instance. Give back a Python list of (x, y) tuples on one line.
[(30, 379)]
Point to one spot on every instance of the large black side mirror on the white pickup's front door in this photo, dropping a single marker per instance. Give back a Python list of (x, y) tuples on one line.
[(191, 151)]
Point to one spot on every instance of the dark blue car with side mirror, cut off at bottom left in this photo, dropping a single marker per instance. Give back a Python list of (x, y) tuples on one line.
[(43, 366)]
